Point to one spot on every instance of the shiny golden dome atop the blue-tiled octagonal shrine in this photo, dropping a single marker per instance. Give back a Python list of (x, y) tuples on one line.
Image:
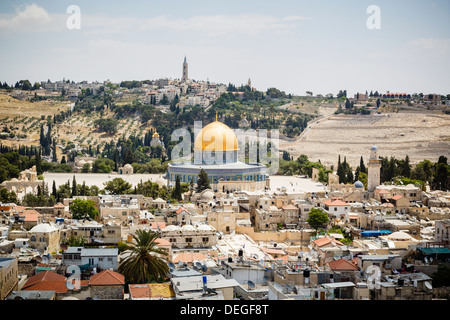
[(216, 136)]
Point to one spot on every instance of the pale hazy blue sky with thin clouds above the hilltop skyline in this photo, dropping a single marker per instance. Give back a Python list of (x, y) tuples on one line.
[(296, 46)]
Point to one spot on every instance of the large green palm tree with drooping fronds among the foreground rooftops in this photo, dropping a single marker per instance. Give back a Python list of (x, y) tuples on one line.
[(145, 262)]
